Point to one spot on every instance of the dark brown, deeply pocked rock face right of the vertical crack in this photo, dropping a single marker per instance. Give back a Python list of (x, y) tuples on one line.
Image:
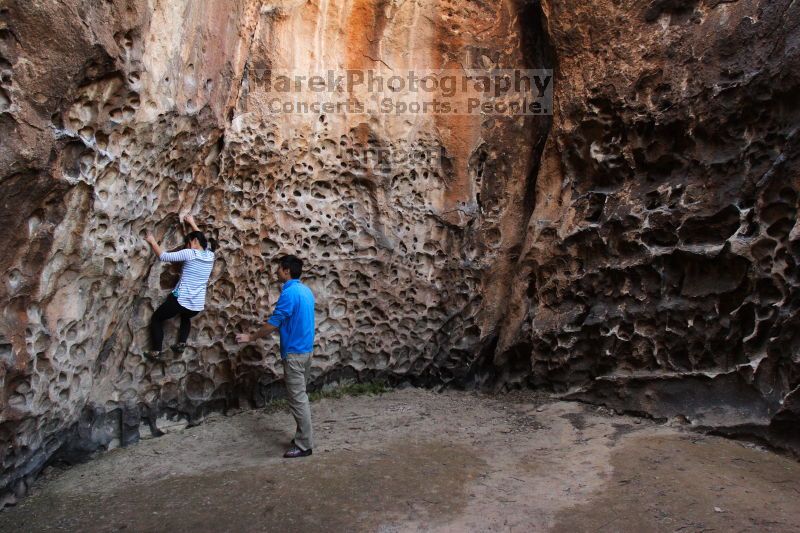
[(659, 272)]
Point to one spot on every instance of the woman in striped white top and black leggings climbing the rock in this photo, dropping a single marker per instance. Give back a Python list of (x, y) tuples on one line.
[(189, 296)]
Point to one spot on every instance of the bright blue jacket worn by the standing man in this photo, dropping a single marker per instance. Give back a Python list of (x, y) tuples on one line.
[(294, 318)]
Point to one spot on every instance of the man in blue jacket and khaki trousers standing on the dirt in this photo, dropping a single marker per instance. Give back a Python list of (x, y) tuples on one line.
[(293, 318)]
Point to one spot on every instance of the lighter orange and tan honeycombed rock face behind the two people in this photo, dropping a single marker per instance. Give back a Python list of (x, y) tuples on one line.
[(119, 117)]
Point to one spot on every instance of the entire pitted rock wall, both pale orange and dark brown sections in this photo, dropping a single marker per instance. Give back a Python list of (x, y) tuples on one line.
[(638, 249)]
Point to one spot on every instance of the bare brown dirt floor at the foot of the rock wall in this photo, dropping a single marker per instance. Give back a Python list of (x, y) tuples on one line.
[(415, 460)]
